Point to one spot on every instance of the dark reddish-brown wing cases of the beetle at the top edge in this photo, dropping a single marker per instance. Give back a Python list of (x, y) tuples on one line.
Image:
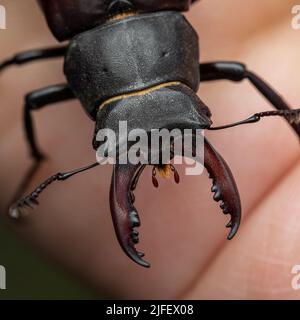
[(67, 18)]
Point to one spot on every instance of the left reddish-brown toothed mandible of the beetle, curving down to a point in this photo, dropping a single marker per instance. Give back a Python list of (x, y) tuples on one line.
[(124, 214)]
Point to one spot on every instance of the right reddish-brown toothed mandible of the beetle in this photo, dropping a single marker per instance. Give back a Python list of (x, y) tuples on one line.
[(224, 186)]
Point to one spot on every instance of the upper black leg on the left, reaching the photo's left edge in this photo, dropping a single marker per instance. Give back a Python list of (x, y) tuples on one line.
[(33, 55)]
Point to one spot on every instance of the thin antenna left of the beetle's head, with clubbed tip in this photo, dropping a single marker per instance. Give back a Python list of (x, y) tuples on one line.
[(32, 199)]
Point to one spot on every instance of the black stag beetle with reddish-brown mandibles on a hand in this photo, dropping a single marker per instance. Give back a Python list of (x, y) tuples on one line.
[(124, 58)]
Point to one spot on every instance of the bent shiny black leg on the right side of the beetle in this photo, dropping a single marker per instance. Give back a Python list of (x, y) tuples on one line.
[(235, 71)]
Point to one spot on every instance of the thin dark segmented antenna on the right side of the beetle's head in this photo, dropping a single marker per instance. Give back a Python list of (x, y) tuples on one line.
[(292, 116)]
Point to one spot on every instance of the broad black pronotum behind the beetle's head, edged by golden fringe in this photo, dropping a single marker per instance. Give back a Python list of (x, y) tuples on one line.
[(132, 54)]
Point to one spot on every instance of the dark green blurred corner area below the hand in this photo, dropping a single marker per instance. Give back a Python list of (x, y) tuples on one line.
[(29, 277)]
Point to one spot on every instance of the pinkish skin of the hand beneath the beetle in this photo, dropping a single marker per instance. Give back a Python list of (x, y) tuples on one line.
[(183, 230)]
